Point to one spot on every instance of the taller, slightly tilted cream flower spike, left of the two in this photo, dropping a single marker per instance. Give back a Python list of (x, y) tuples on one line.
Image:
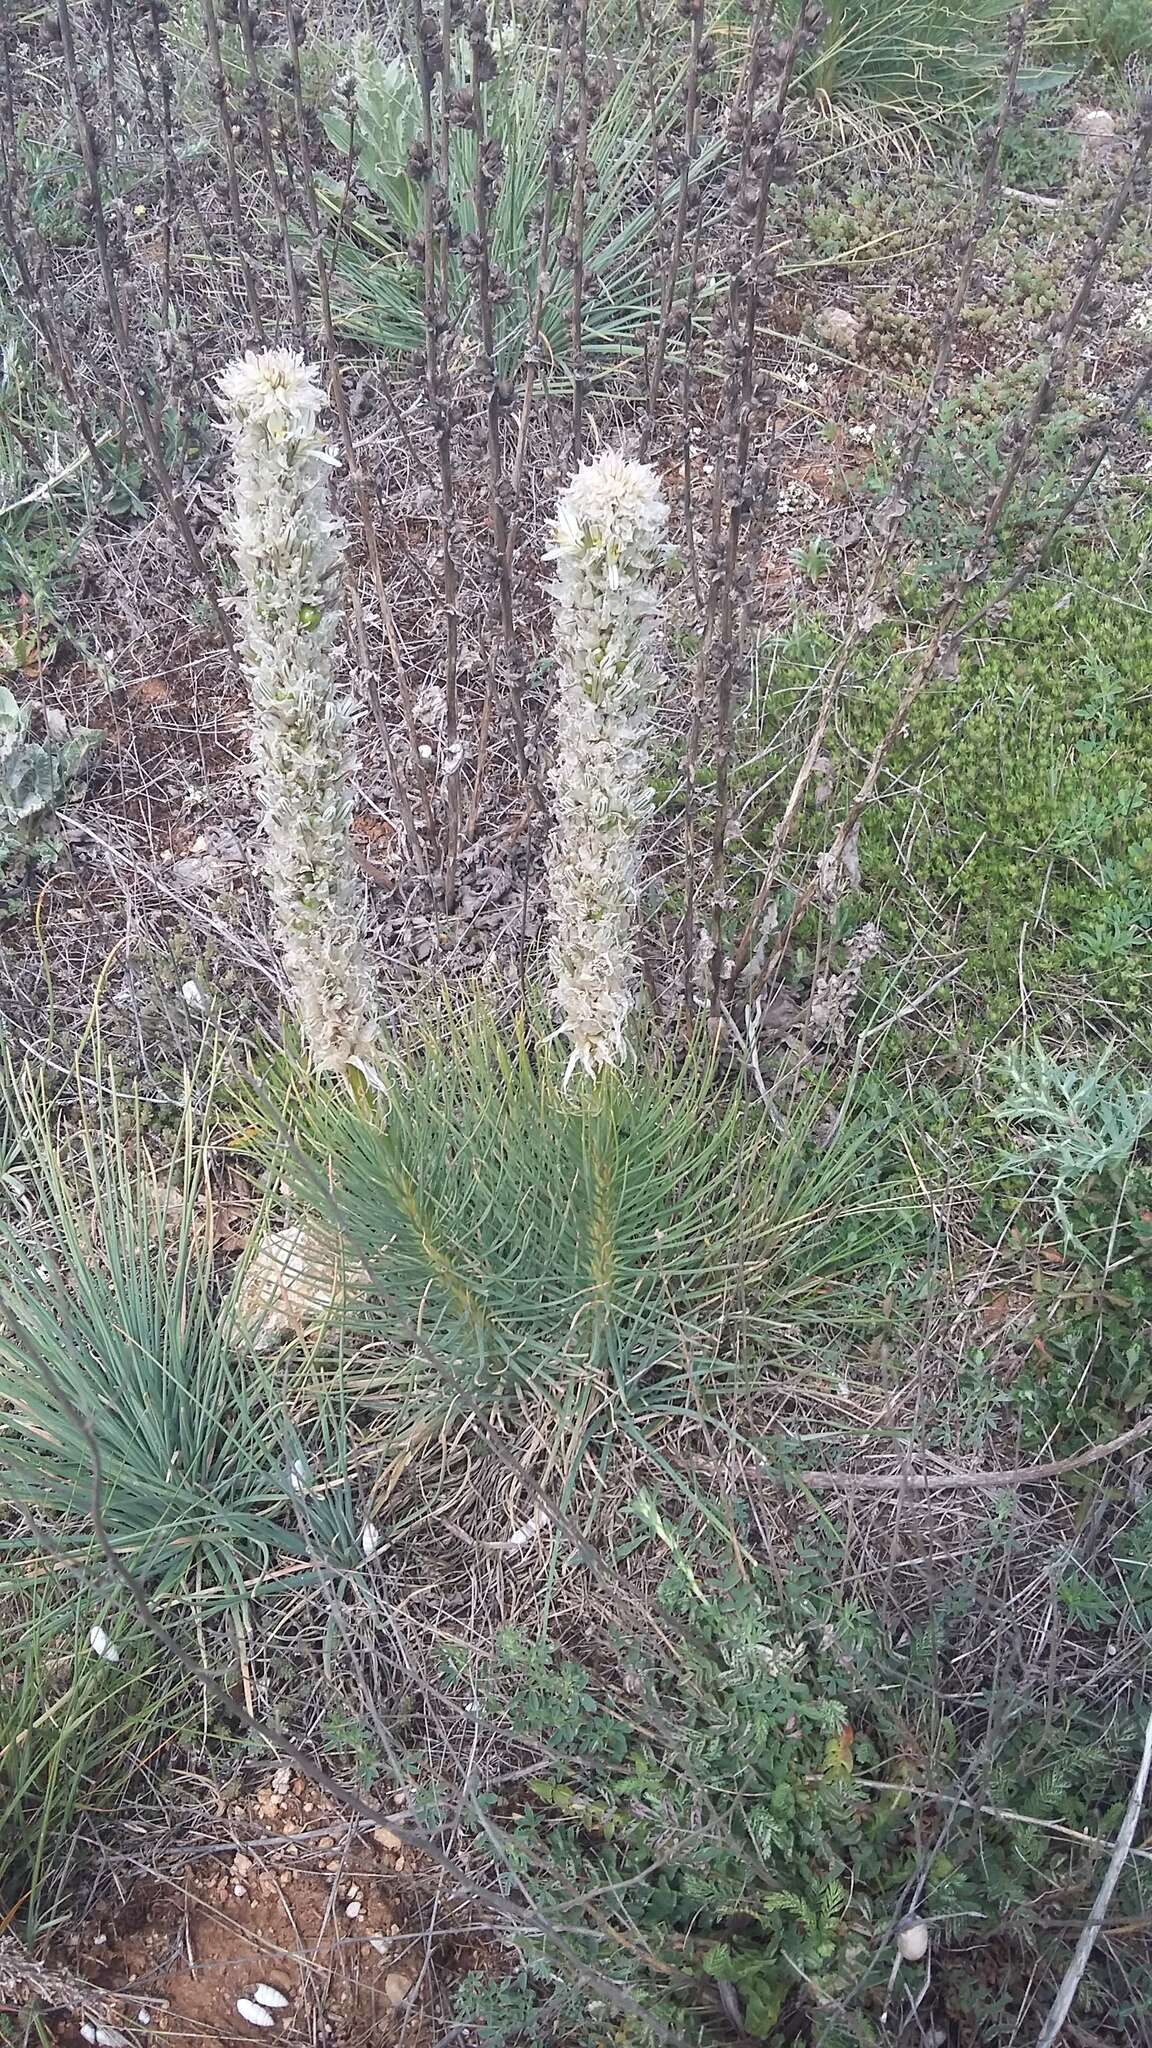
[(288, 552)]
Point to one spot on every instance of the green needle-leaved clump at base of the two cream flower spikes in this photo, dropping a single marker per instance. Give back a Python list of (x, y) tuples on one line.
[(604, 1254)]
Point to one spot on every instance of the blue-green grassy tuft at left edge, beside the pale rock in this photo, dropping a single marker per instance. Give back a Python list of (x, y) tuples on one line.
[(118, 1340)]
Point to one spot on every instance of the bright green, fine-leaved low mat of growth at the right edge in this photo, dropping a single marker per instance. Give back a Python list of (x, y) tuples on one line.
[(1014, 830)]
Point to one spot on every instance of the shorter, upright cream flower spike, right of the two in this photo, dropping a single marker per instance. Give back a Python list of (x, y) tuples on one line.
[(608, 550)]
